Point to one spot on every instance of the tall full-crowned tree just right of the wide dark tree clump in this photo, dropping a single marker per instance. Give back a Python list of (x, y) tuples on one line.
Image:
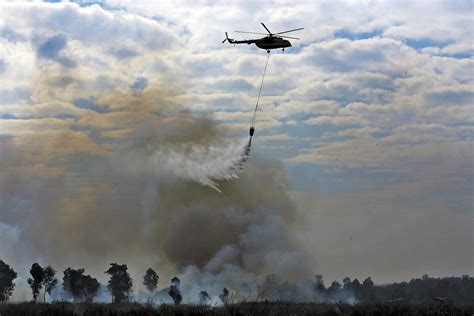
[(120, 283)]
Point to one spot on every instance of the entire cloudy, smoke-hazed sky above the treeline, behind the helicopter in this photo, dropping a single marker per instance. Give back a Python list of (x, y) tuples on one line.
[(364, 131)]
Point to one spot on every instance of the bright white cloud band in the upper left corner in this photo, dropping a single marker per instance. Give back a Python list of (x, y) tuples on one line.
[(91, 25)]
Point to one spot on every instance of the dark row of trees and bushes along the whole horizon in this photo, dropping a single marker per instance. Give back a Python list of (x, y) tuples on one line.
[(80, 287)]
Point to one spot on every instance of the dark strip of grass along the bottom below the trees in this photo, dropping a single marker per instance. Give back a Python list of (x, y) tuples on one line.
[(247, 308)]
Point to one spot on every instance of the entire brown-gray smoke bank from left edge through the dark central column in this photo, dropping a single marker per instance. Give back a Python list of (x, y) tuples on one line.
[(148, 198)]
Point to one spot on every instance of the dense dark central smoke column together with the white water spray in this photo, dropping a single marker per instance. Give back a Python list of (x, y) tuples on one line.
[(217, 240)]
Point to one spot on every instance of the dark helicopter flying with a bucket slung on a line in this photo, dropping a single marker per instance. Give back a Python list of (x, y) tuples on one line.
[(270, 41)]
